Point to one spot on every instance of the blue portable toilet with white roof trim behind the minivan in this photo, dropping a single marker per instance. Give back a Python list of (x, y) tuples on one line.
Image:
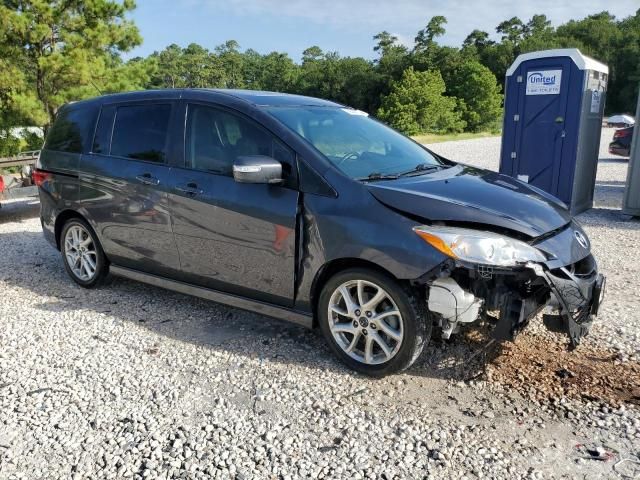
[(554, 103)]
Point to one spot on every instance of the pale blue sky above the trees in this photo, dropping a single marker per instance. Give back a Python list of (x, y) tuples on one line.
[(345, 26)]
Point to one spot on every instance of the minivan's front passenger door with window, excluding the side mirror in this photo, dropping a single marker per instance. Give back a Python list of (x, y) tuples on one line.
[(239, 238)]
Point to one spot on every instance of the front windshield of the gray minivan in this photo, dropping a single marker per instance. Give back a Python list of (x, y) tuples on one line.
[(358, 145)]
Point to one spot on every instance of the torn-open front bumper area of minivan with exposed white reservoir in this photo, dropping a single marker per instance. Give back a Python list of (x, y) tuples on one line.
[(572, 295)]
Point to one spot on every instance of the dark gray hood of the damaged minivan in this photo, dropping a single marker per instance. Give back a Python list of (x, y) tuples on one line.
[(466, 194)]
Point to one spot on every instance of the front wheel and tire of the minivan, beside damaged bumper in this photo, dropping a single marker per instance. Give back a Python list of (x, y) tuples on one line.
[(348, 331)]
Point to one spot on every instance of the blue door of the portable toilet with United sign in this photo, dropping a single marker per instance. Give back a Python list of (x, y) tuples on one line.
[(543, 97)]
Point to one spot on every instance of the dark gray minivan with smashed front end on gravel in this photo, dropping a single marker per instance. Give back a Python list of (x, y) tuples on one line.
[(309, 211)]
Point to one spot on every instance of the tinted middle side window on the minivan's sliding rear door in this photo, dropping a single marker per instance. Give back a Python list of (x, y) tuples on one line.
[(140, 132)]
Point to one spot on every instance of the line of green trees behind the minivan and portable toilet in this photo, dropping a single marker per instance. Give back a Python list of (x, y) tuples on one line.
[(65, 50)]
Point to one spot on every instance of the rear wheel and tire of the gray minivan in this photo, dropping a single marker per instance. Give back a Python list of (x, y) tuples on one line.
[(78, 241)]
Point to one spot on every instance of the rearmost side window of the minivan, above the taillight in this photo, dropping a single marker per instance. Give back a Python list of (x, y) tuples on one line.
[(73, 129)]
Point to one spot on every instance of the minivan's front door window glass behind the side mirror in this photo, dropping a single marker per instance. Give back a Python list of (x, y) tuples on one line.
[(215, 138)]
